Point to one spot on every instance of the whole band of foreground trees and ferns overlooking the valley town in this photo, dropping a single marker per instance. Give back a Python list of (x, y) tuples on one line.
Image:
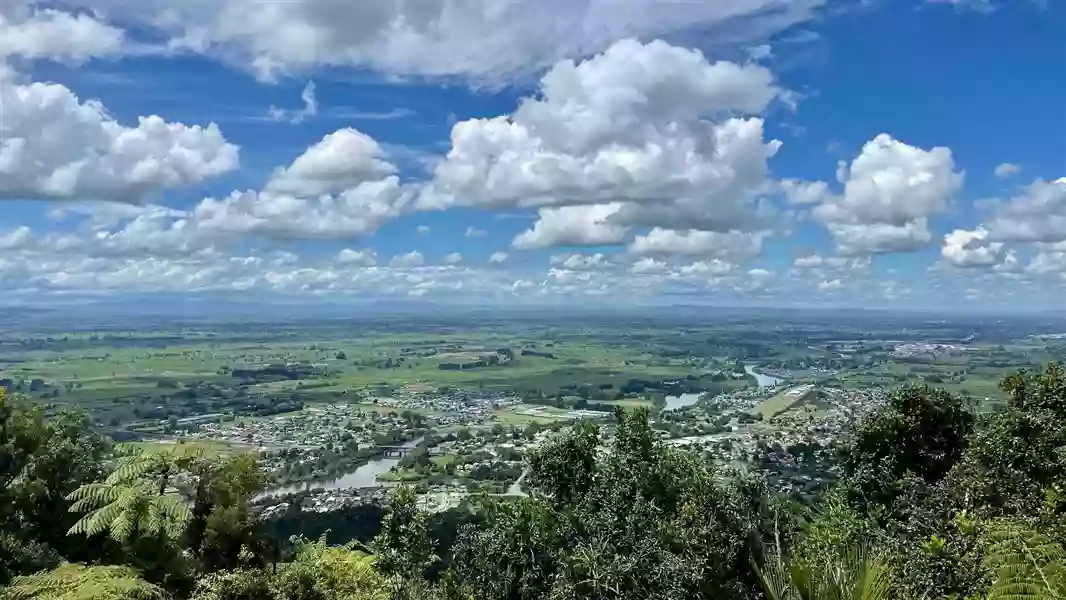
[(935, 502)]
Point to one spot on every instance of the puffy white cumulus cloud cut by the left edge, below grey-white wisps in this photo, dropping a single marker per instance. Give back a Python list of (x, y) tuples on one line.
[(58, 147)]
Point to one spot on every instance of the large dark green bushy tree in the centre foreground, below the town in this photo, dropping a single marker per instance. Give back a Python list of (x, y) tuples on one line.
[(640, 521)]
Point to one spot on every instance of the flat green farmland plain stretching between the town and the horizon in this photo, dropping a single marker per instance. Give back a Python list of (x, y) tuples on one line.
[(150, 375)]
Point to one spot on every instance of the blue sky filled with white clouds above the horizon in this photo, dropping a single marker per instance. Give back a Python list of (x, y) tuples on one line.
[(508, 152)]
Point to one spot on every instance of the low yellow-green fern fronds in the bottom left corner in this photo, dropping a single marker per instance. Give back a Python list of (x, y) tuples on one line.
[(79, 582)]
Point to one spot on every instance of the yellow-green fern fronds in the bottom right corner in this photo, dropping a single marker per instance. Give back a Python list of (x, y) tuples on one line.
[(1027, 565)]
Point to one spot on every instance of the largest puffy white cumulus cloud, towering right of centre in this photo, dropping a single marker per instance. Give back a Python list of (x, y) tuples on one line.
[(628, 129)]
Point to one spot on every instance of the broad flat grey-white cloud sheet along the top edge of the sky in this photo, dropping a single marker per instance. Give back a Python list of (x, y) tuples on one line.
[(483, 40)]
